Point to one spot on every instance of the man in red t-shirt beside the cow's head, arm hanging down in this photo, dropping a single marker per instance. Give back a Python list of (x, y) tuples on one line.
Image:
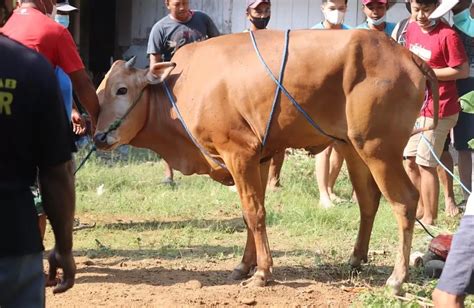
[(31, 24)]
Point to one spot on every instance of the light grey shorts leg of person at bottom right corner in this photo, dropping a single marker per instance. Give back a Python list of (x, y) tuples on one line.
[(458, 273)]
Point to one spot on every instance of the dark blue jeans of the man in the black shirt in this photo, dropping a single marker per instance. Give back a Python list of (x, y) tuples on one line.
[(22, 281)]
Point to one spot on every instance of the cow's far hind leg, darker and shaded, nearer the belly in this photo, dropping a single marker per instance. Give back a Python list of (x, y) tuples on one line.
[(368, 197)]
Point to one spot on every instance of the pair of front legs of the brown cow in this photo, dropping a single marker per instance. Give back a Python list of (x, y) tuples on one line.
[(250, 178)]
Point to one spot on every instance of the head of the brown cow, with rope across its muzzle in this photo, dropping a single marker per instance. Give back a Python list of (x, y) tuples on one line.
[(122, 100)]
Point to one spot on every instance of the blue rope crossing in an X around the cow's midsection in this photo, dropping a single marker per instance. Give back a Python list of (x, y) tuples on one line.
[(283, 89)]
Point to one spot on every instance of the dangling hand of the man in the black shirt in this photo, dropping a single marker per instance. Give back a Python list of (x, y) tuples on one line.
[(66, 262)]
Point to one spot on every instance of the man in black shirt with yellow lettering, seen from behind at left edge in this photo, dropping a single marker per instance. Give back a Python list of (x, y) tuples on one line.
[(35, 142)]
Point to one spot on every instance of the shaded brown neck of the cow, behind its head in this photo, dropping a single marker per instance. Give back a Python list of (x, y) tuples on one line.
[(164, 134)]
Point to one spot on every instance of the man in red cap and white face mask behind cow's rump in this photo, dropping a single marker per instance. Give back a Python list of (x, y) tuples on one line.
[(376, 12)]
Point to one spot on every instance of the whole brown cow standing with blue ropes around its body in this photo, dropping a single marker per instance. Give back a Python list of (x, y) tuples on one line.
[(358, 86)]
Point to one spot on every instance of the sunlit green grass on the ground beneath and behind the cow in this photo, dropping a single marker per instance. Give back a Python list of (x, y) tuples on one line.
[(138, 217)]
